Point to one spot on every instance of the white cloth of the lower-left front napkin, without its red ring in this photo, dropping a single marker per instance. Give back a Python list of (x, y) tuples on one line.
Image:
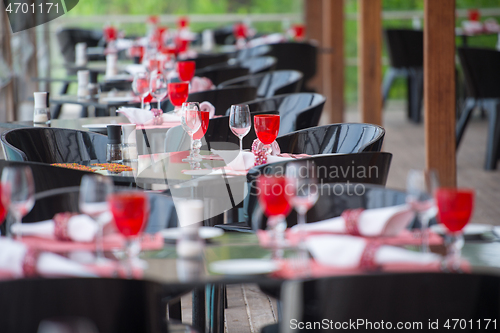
[(49, 264)]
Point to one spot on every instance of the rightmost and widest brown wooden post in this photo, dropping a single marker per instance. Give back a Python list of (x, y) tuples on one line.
[(439, 89)]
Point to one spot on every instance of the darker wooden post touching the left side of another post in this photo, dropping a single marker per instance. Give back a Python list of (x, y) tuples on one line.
[(314, 30)]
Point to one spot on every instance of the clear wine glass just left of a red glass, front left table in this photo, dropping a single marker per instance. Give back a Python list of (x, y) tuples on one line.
[(94, 191)]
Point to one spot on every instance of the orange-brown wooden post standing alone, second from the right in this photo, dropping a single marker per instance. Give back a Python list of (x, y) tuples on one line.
[(369, 57)]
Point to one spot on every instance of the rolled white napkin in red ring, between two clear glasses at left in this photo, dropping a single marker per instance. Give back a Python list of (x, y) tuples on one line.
[(64, 226)]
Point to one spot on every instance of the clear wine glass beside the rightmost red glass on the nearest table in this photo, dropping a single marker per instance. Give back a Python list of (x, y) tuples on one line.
[(421, 186)]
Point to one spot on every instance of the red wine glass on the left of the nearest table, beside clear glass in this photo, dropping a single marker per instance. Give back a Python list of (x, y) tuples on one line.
[(130, 211)]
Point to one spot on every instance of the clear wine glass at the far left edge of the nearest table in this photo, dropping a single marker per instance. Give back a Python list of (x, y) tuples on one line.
[(21, 186)]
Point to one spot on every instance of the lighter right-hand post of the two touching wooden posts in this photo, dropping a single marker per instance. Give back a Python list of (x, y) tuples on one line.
[(333, 60)]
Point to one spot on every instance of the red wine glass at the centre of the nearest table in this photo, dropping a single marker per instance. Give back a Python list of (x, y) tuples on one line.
[(275, 202)]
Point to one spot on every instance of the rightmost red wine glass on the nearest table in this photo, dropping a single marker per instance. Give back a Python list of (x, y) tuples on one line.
[(455, 207)]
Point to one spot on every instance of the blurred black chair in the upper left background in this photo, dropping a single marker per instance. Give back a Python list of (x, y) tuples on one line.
[(69, 37)]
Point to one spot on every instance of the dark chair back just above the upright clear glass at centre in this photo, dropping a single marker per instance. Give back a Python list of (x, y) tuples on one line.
[(223, 98)]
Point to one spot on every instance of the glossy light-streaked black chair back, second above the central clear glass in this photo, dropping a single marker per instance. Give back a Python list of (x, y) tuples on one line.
[(269, 84)]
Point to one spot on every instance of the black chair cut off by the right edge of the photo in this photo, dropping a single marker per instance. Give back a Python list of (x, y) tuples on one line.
[(481, 69)]
